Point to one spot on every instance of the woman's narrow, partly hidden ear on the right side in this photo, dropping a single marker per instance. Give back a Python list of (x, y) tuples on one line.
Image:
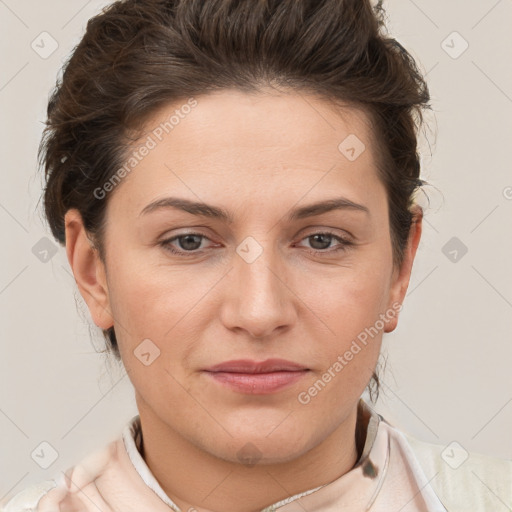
[(402, 275)]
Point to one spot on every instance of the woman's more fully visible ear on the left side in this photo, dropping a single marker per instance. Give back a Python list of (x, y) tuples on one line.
[(88, 269)]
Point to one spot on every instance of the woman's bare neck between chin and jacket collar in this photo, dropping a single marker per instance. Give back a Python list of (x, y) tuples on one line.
[(197, 480)]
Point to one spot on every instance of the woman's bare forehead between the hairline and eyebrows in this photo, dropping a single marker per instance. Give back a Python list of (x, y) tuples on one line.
[(267, 143)]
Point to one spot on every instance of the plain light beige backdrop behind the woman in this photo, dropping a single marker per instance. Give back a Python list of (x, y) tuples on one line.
[(448, 373)]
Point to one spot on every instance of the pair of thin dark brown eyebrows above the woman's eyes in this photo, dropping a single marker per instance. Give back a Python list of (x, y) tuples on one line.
[(206, 210)]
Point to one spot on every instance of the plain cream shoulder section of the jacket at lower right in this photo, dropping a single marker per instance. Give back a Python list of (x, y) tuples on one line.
[(464, 480)]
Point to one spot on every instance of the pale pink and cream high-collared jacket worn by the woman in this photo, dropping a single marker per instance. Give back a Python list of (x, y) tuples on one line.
[(395, 472)]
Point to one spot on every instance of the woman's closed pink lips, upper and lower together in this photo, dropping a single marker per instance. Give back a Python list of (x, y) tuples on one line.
[(253, 377)]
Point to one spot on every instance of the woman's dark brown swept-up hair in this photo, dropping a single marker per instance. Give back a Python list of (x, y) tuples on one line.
[(138, 56)]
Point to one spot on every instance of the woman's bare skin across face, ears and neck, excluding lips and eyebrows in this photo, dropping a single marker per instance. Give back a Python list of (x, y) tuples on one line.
[(257, 156)]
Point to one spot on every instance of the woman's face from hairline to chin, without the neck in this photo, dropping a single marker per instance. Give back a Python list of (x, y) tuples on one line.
[(270, 277)]
